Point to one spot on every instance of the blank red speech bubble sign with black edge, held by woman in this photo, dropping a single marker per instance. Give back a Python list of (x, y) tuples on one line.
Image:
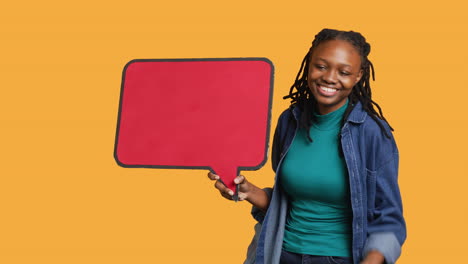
[(195, 114)]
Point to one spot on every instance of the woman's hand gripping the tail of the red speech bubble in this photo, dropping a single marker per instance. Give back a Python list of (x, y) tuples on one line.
[(247, 191)]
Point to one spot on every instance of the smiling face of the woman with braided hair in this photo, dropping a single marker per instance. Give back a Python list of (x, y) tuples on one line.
[(334, 69)]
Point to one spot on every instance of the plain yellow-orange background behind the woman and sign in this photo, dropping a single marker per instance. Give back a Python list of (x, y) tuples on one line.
[(63, 199)]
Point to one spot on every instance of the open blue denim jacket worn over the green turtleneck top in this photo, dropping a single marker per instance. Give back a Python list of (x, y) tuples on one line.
[(372, 162)]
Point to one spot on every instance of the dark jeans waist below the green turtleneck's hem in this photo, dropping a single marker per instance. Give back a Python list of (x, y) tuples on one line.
[(294, 258)]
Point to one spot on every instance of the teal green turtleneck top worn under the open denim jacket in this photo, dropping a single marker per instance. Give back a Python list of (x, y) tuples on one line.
[(315, 177)]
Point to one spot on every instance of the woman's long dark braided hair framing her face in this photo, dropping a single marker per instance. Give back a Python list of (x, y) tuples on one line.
[(301, 95)]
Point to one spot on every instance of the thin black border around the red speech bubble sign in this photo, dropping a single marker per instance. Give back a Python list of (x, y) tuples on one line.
[(197, 59)]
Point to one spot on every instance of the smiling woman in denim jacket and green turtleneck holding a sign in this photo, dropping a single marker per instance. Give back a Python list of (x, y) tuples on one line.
[(336, 198)]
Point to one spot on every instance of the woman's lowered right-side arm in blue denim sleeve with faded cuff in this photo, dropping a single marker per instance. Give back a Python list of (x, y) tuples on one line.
[(386, 228)]
